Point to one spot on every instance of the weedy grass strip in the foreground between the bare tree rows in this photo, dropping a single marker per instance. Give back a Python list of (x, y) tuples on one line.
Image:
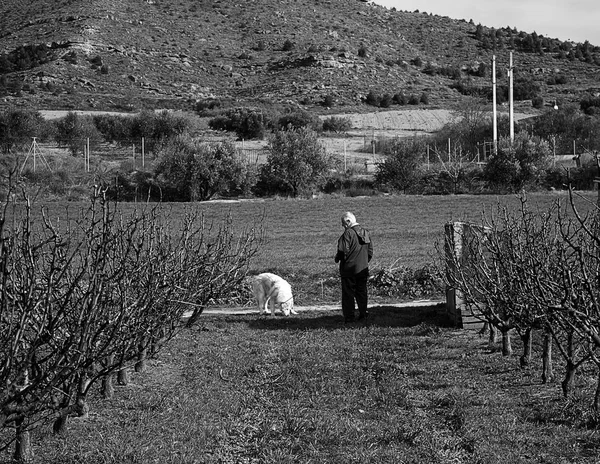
[(307, 389)]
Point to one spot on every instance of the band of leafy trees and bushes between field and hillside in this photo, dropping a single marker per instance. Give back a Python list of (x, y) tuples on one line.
[(187, 167)]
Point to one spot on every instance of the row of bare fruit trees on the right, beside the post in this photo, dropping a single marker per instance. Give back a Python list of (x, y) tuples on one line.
[(535, 270)]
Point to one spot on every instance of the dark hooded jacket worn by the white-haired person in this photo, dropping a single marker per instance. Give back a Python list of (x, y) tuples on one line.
[(355, 250)]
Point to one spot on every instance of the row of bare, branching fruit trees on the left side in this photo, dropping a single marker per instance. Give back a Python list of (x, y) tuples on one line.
[(86, 296)]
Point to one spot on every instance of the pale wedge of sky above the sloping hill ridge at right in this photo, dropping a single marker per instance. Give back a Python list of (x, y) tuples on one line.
[(576, 20)]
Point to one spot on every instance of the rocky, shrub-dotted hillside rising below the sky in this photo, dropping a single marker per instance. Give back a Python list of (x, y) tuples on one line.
[(133, 54)]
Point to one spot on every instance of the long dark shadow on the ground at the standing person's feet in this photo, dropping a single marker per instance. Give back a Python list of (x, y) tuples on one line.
[(379, 316)]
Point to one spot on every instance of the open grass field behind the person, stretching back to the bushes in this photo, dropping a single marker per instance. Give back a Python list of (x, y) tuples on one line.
[(301, 235)]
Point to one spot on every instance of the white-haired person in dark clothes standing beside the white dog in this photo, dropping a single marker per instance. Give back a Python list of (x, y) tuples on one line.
[(354, 252)]
